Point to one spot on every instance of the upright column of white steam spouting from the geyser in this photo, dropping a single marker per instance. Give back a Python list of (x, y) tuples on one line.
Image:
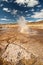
[(23, 28)]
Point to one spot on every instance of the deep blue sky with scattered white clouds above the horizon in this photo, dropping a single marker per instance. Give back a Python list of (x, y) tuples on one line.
[(12, 10)]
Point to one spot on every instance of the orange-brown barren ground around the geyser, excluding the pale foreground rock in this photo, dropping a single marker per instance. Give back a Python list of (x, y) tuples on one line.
[(31, 42)]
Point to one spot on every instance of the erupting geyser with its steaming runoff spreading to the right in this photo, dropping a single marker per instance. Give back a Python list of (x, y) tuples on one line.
[(24, 28)]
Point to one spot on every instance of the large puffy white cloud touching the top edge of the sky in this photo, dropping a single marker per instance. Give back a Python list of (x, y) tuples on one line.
[(30, 3)]
